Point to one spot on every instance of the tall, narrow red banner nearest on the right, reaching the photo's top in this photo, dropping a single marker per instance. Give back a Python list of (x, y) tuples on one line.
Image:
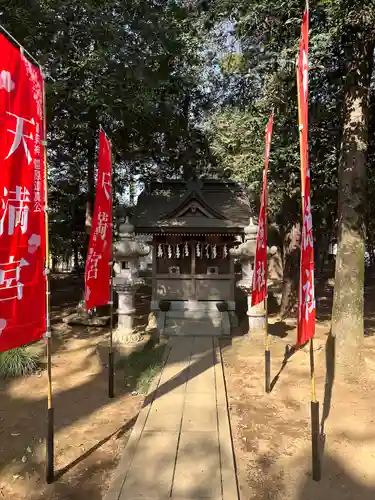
[(306, 306)]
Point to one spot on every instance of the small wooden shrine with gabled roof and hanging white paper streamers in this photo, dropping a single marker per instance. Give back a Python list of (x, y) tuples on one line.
[(192, 224)]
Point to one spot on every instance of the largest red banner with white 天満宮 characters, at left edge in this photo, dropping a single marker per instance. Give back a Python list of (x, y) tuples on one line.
[(22, 200)]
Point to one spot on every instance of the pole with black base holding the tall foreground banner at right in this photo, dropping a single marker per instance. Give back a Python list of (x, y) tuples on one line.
[(314, 404)]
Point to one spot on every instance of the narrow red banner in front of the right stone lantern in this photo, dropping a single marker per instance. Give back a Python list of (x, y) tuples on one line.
[(259, 285)]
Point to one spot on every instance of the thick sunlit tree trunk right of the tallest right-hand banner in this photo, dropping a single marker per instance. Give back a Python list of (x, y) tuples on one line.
[(348, 301)]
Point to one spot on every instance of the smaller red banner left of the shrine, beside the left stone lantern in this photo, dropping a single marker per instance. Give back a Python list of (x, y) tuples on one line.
[(98, 272)]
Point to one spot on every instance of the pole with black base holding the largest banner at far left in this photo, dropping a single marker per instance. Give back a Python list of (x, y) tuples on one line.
[(50, 410)]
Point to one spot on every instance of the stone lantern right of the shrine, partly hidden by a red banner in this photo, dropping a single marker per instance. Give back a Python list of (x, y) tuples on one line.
[(245, 253)]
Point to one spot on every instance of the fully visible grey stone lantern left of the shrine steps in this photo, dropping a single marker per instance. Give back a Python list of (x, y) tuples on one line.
[(126, 253)]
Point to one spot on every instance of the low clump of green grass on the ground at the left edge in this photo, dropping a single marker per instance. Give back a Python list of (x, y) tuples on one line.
[(18, 362)]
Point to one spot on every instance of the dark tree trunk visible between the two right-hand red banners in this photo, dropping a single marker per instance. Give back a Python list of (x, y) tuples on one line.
[(291, 255)]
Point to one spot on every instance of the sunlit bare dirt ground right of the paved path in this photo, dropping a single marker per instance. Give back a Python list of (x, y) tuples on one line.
[(271, 433)]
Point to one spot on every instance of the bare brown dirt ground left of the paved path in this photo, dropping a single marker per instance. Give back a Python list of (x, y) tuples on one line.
[(91, 430)]
